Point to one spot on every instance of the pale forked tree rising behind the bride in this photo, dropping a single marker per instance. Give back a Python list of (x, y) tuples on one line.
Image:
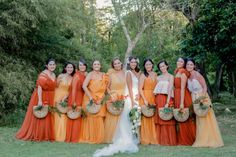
[(143, 11)]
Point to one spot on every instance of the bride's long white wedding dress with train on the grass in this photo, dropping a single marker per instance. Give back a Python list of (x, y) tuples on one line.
[(123, 141)]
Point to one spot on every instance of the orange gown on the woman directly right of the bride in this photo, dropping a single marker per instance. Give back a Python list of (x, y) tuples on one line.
[(148, 128)]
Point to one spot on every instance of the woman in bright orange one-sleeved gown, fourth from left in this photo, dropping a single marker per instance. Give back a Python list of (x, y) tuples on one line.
[(94, 86)]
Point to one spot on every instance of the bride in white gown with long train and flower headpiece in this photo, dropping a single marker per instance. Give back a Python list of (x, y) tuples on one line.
[(124, 140)]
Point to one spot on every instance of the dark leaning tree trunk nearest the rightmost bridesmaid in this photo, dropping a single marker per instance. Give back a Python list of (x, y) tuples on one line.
[(219, 72)]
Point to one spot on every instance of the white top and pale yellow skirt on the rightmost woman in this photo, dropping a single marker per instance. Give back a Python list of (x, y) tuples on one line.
[(207, 133)]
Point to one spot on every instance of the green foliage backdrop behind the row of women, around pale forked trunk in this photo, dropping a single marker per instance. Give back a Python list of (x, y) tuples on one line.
[(33, 30)]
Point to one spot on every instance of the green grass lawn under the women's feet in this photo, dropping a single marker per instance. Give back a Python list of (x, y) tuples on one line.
[(10, 147)]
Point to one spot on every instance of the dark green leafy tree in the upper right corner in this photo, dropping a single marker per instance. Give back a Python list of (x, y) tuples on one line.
[(214, 33)]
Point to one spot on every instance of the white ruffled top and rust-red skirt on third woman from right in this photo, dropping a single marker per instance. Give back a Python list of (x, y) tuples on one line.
[(167, 129)]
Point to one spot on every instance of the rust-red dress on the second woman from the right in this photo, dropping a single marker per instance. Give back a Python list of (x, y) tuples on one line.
[(186, 134)]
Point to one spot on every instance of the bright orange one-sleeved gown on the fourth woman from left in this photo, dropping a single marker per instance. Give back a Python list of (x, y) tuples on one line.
[(93, 124)]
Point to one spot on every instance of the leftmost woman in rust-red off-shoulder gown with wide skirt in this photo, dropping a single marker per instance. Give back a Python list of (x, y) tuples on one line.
[(40, 129)]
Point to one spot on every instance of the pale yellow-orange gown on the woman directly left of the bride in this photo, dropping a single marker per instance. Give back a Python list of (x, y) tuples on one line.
[(117, 87)]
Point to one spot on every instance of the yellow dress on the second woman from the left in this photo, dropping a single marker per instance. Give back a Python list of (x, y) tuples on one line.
[(60, 121)]
